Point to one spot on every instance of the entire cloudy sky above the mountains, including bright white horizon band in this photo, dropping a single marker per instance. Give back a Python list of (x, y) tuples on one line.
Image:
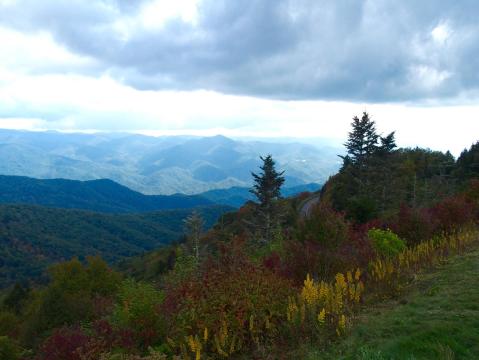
[(272, 68)]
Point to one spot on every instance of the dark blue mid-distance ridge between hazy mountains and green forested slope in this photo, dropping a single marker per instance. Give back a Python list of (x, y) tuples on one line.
[(95, 195)]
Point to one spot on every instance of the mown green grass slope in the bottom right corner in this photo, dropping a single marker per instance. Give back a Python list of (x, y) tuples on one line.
[(437, 317)]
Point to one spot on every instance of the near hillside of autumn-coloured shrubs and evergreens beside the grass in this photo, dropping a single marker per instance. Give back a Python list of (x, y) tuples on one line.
[(264, 280)]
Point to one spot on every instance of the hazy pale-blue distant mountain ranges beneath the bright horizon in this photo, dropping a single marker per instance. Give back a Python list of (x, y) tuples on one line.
[(159, 165)]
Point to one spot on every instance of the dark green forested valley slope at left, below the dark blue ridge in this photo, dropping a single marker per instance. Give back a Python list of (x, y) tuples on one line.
[(32, 237)]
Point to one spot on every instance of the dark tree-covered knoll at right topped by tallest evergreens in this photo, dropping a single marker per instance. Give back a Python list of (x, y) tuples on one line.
[(377, 178)]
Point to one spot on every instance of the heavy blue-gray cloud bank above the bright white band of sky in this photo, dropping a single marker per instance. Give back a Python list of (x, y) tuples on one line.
[(373, 51)]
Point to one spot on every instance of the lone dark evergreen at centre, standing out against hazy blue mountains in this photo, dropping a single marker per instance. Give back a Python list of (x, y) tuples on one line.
[(267, 188)]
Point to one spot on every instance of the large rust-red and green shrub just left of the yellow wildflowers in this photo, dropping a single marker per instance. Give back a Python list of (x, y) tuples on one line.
[(234, 304)]
